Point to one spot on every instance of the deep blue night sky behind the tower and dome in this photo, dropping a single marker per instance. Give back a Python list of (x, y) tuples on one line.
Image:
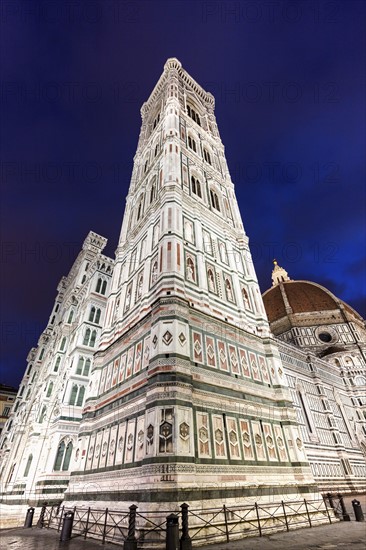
[(289, 83)]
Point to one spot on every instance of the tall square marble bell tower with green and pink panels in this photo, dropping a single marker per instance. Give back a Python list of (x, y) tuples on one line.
[(188, 400)]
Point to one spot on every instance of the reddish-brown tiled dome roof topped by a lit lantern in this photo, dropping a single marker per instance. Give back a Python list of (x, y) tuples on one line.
[(291, 297)]
